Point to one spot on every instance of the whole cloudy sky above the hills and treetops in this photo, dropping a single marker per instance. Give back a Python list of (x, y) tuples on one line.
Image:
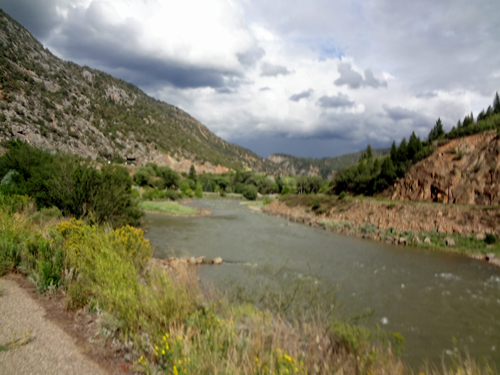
[(315, 78)]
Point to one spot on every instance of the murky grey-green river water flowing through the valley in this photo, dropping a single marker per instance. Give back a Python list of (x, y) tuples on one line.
[(429, 297)]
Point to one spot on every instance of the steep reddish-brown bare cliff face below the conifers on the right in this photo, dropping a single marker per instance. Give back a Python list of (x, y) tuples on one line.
[(464, 171)]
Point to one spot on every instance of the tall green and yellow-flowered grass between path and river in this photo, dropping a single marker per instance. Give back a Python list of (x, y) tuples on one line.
[(174, 329)]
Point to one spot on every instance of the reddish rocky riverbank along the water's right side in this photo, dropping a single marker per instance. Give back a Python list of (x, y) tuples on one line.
[(463, 229)]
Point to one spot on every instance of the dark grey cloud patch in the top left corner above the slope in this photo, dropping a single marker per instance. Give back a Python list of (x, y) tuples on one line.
[(38, 17)]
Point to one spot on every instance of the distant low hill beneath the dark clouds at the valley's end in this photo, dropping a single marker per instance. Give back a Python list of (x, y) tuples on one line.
[(325, 168)]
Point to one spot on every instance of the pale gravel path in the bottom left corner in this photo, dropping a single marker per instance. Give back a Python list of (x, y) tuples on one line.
[(49, 350)]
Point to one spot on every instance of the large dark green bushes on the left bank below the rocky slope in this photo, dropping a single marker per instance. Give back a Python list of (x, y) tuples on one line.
[(69, 183)]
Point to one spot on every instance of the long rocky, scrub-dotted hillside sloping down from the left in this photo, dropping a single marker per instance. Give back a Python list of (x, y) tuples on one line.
[(54, 104)]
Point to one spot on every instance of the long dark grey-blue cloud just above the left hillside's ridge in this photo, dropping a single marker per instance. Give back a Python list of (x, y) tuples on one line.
[(89, 39)]
